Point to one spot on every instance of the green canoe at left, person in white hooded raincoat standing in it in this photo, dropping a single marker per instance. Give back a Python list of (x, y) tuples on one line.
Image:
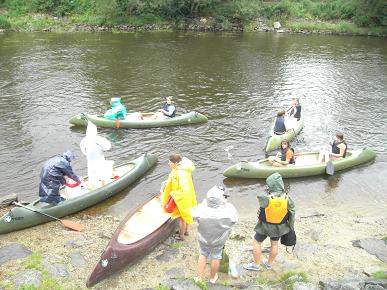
[(78, 198)]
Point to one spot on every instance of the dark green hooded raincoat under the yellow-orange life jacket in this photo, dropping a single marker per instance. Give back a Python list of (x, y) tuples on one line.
[(276, 188)]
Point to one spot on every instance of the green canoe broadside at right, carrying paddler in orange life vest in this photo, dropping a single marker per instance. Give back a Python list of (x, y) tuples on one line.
[(306, 164)]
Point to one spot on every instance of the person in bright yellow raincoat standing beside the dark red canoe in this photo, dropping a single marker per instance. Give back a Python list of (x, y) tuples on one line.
[(180, 186)]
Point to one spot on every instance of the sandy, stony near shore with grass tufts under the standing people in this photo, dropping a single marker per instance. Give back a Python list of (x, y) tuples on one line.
[(324, 252)]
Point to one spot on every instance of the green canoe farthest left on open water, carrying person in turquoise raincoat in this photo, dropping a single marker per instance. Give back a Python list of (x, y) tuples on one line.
[(137, 123)]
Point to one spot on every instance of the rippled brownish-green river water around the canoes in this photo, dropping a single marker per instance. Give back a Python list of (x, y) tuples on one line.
[(238, 80)]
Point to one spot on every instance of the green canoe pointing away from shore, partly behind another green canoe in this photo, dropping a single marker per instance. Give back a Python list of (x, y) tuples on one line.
[(274, 140)]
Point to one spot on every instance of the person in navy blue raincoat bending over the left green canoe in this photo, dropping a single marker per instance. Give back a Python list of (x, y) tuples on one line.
[(52, 176)]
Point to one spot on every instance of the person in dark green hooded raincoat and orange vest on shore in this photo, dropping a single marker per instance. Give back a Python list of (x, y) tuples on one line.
[(276, 217)]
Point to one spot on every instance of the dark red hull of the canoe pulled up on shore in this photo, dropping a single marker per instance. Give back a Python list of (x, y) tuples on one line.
[(116, 256)]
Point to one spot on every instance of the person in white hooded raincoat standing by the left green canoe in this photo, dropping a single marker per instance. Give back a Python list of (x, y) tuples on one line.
[(93, 146)]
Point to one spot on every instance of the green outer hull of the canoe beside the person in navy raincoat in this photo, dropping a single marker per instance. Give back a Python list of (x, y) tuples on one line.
[(19, 218)]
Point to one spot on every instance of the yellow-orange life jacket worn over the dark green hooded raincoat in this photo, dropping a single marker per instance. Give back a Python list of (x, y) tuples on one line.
[(277, 210)]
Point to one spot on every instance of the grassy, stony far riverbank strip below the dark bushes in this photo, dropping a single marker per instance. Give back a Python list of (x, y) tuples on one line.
[(47, 23)]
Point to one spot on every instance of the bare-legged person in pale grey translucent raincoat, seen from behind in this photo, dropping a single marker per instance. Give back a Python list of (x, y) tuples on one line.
[(215, 217)]
